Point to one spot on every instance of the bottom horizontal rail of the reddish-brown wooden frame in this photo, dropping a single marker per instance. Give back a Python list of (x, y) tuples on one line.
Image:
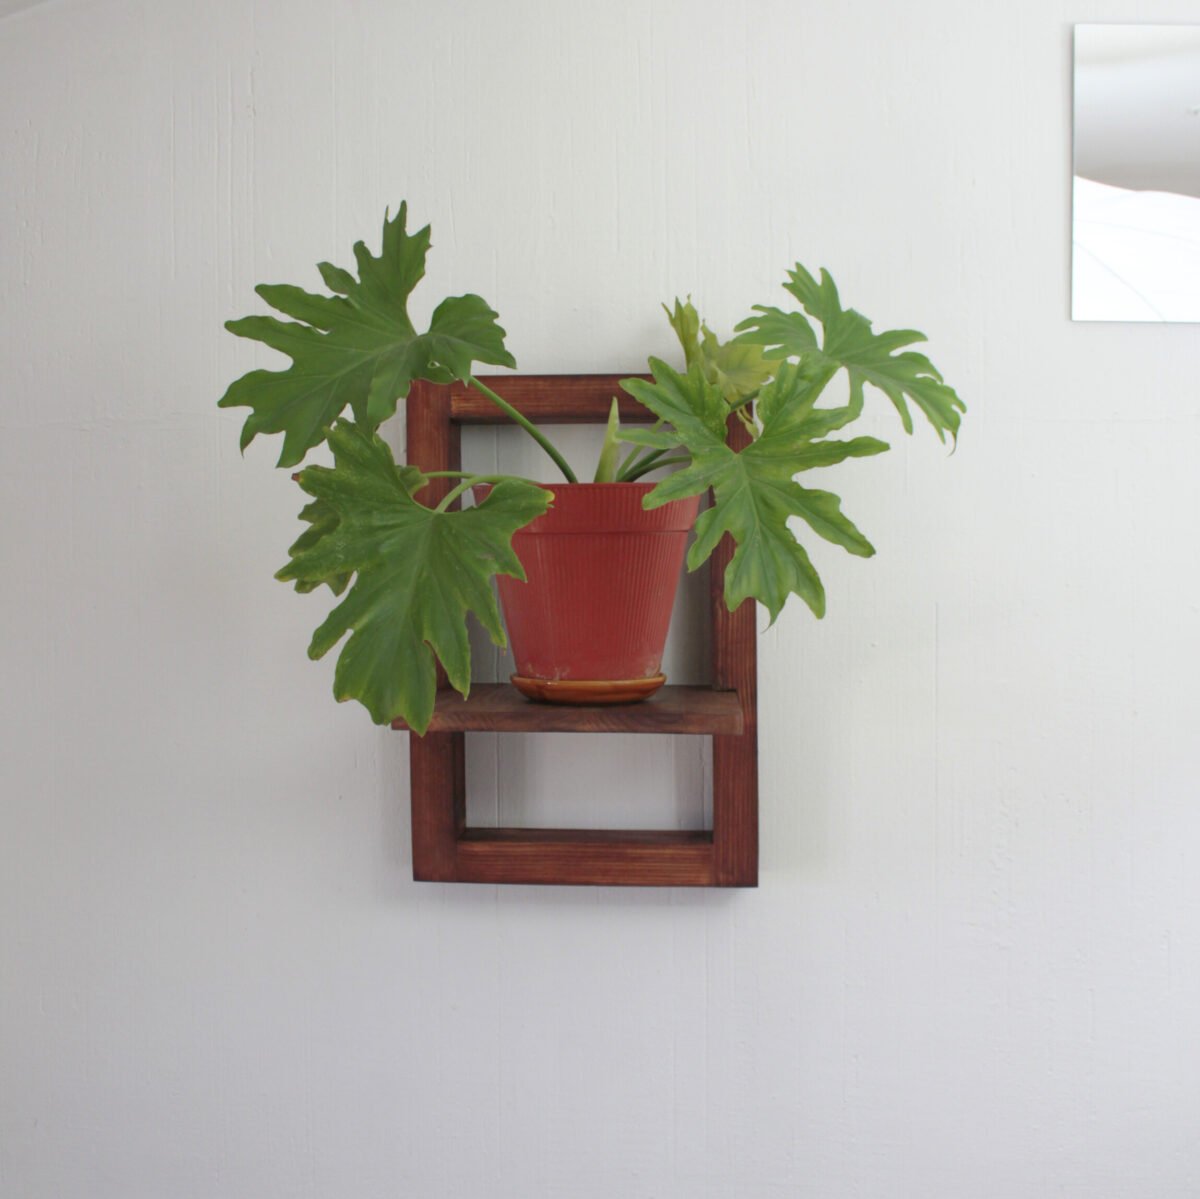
[(601, 859)]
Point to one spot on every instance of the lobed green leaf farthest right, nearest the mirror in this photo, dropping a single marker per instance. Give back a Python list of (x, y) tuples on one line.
[(849, 343)]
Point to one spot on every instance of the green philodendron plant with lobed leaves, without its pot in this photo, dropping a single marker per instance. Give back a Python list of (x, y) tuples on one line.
[(412, 573)]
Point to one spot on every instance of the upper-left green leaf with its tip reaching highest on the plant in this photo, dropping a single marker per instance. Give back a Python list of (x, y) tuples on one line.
[(358, 347)]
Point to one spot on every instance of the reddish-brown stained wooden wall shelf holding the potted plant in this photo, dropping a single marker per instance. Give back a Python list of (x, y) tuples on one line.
[(445, 848)]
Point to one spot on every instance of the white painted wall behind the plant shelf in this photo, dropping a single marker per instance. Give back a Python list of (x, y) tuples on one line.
[(974, 966)]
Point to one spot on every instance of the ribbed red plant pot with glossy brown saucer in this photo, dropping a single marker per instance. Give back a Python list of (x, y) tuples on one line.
[(590, 624)]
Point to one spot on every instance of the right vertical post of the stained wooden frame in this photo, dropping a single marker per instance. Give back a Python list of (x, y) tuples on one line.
[(735, 759)]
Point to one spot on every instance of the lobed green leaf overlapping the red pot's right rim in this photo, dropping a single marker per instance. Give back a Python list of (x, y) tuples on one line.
[(754, 494)]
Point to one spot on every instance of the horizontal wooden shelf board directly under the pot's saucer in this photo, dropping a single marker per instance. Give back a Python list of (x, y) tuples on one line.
[(499, 708)]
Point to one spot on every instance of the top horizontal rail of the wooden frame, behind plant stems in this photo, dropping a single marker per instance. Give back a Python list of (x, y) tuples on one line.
[(548, 400)]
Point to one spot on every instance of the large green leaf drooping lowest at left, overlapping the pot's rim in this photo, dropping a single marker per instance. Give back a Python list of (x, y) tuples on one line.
[(418, 574)]
